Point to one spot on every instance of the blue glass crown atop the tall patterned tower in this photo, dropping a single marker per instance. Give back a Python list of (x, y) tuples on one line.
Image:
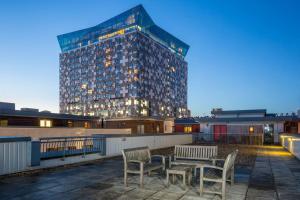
[(134, 17)]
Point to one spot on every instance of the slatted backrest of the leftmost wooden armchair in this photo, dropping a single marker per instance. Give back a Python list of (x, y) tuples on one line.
[(139, 153)]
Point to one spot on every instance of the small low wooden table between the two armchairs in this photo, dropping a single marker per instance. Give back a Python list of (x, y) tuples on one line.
[(183, 170)]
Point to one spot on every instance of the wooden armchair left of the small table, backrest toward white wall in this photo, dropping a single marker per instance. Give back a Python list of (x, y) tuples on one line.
[(139, 161)]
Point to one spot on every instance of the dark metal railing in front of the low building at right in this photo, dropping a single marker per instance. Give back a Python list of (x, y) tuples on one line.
[(246, 139)]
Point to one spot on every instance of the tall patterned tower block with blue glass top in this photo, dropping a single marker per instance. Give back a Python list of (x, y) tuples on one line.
[(124, 67)]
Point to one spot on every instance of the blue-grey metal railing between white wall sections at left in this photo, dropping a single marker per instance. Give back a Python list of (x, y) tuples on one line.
[(55, 147)]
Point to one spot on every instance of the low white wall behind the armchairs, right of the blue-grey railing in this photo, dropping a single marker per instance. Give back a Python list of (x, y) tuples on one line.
[(115, 145)]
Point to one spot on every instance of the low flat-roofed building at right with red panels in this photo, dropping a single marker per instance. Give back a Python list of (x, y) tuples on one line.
[(257, 121)]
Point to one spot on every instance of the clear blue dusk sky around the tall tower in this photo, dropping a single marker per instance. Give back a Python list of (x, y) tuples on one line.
[(243, 55)]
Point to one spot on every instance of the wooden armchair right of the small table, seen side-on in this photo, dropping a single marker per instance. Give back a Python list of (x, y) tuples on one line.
[(210, 173)]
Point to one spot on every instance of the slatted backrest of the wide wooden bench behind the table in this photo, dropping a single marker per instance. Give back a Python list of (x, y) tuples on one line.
[(195, 152)]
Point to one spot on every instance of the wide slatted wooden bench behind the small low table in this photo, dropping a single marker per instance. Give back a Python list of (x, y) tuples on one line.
[(194, 154)]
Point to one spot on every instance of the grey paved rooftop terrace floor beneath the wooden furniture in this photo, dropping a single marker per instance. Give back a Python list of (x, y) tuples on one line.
[(274, 175)]
